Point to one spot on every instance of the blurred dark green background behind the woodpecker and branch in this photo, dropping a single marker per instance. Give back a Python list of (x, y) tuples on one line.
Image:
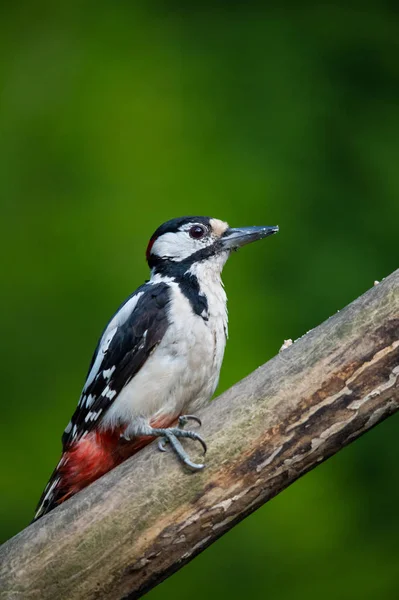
[(115, 116)]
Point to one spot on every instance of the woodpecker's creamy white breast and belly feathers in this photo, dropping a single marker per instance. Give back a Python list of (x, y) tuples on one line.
[(182, 373)]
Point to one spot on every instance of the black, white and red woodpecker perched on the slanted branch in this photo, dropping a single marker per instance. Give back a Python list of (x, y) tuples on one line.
[(158, 359)]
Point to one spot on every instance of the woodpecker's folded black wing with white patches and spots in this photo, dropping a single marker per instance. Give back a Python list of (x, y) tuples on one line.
[(130, 337)]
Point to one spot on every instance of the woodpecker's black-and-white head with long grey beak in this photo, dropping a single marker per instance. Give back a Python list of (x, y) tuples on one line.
[(180, 243)]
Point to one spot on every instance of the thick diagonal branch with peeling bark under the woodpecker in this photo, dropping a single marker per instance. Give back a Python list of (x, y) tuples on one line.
[(147, 518)]
